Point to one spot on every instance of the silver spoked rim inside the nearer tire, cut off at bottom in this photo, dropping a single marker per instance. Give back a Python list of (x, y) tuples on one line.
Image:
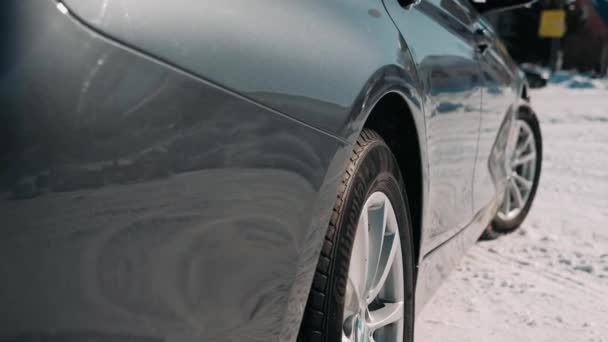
[(374, 299)]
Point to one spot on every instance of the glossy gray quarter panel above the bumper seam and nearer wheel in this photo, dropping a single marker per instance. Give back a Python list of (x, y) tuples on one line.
[(306, 58)]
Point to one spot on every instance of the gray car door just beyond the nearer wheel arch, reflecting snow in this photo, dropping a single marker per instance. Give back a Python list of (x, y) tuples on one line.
[(441, 38)]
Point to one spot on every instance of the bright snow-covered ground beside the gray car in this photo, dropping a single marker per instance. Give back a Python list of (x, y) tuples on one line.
[(549, 280)]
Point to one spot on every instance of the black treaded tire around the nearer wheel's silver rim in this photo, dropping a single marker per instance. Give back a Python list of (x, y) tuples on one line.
[(372, 168)]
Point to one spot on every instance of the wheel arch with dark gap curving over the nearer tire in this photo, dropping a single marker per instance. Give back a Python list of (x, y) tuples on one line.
[(392, 104)]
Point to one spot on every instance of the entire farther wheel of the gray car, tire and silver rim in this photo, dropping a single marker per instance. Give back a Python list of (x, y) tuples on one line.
[(522, 183)]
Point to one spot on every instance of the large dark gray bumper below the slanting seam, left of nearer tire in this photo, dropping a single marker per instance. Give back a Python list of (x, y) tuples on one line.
[(136, 197)]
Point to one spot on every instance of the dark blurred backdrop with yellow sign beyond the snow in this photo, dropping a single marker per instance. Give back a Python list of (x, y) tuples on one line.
[(558, 35)]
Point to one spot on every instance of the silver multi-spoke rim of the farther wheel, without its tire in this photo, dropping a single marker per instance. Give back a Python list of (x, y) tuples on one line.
[(522, 168)]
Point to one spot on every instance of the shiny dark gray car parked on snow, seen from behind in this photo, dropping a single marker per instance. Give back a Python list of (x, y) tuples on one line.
[(232, 170)]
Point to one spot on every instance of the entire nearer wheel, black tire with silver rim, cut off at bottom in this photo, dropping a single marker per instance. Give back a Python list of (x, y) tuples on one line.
[(364, 282)]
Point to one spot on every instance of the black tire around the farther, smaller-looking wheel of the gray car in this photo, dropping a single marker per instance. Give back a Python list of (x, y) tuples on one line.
[(501, 224)]
